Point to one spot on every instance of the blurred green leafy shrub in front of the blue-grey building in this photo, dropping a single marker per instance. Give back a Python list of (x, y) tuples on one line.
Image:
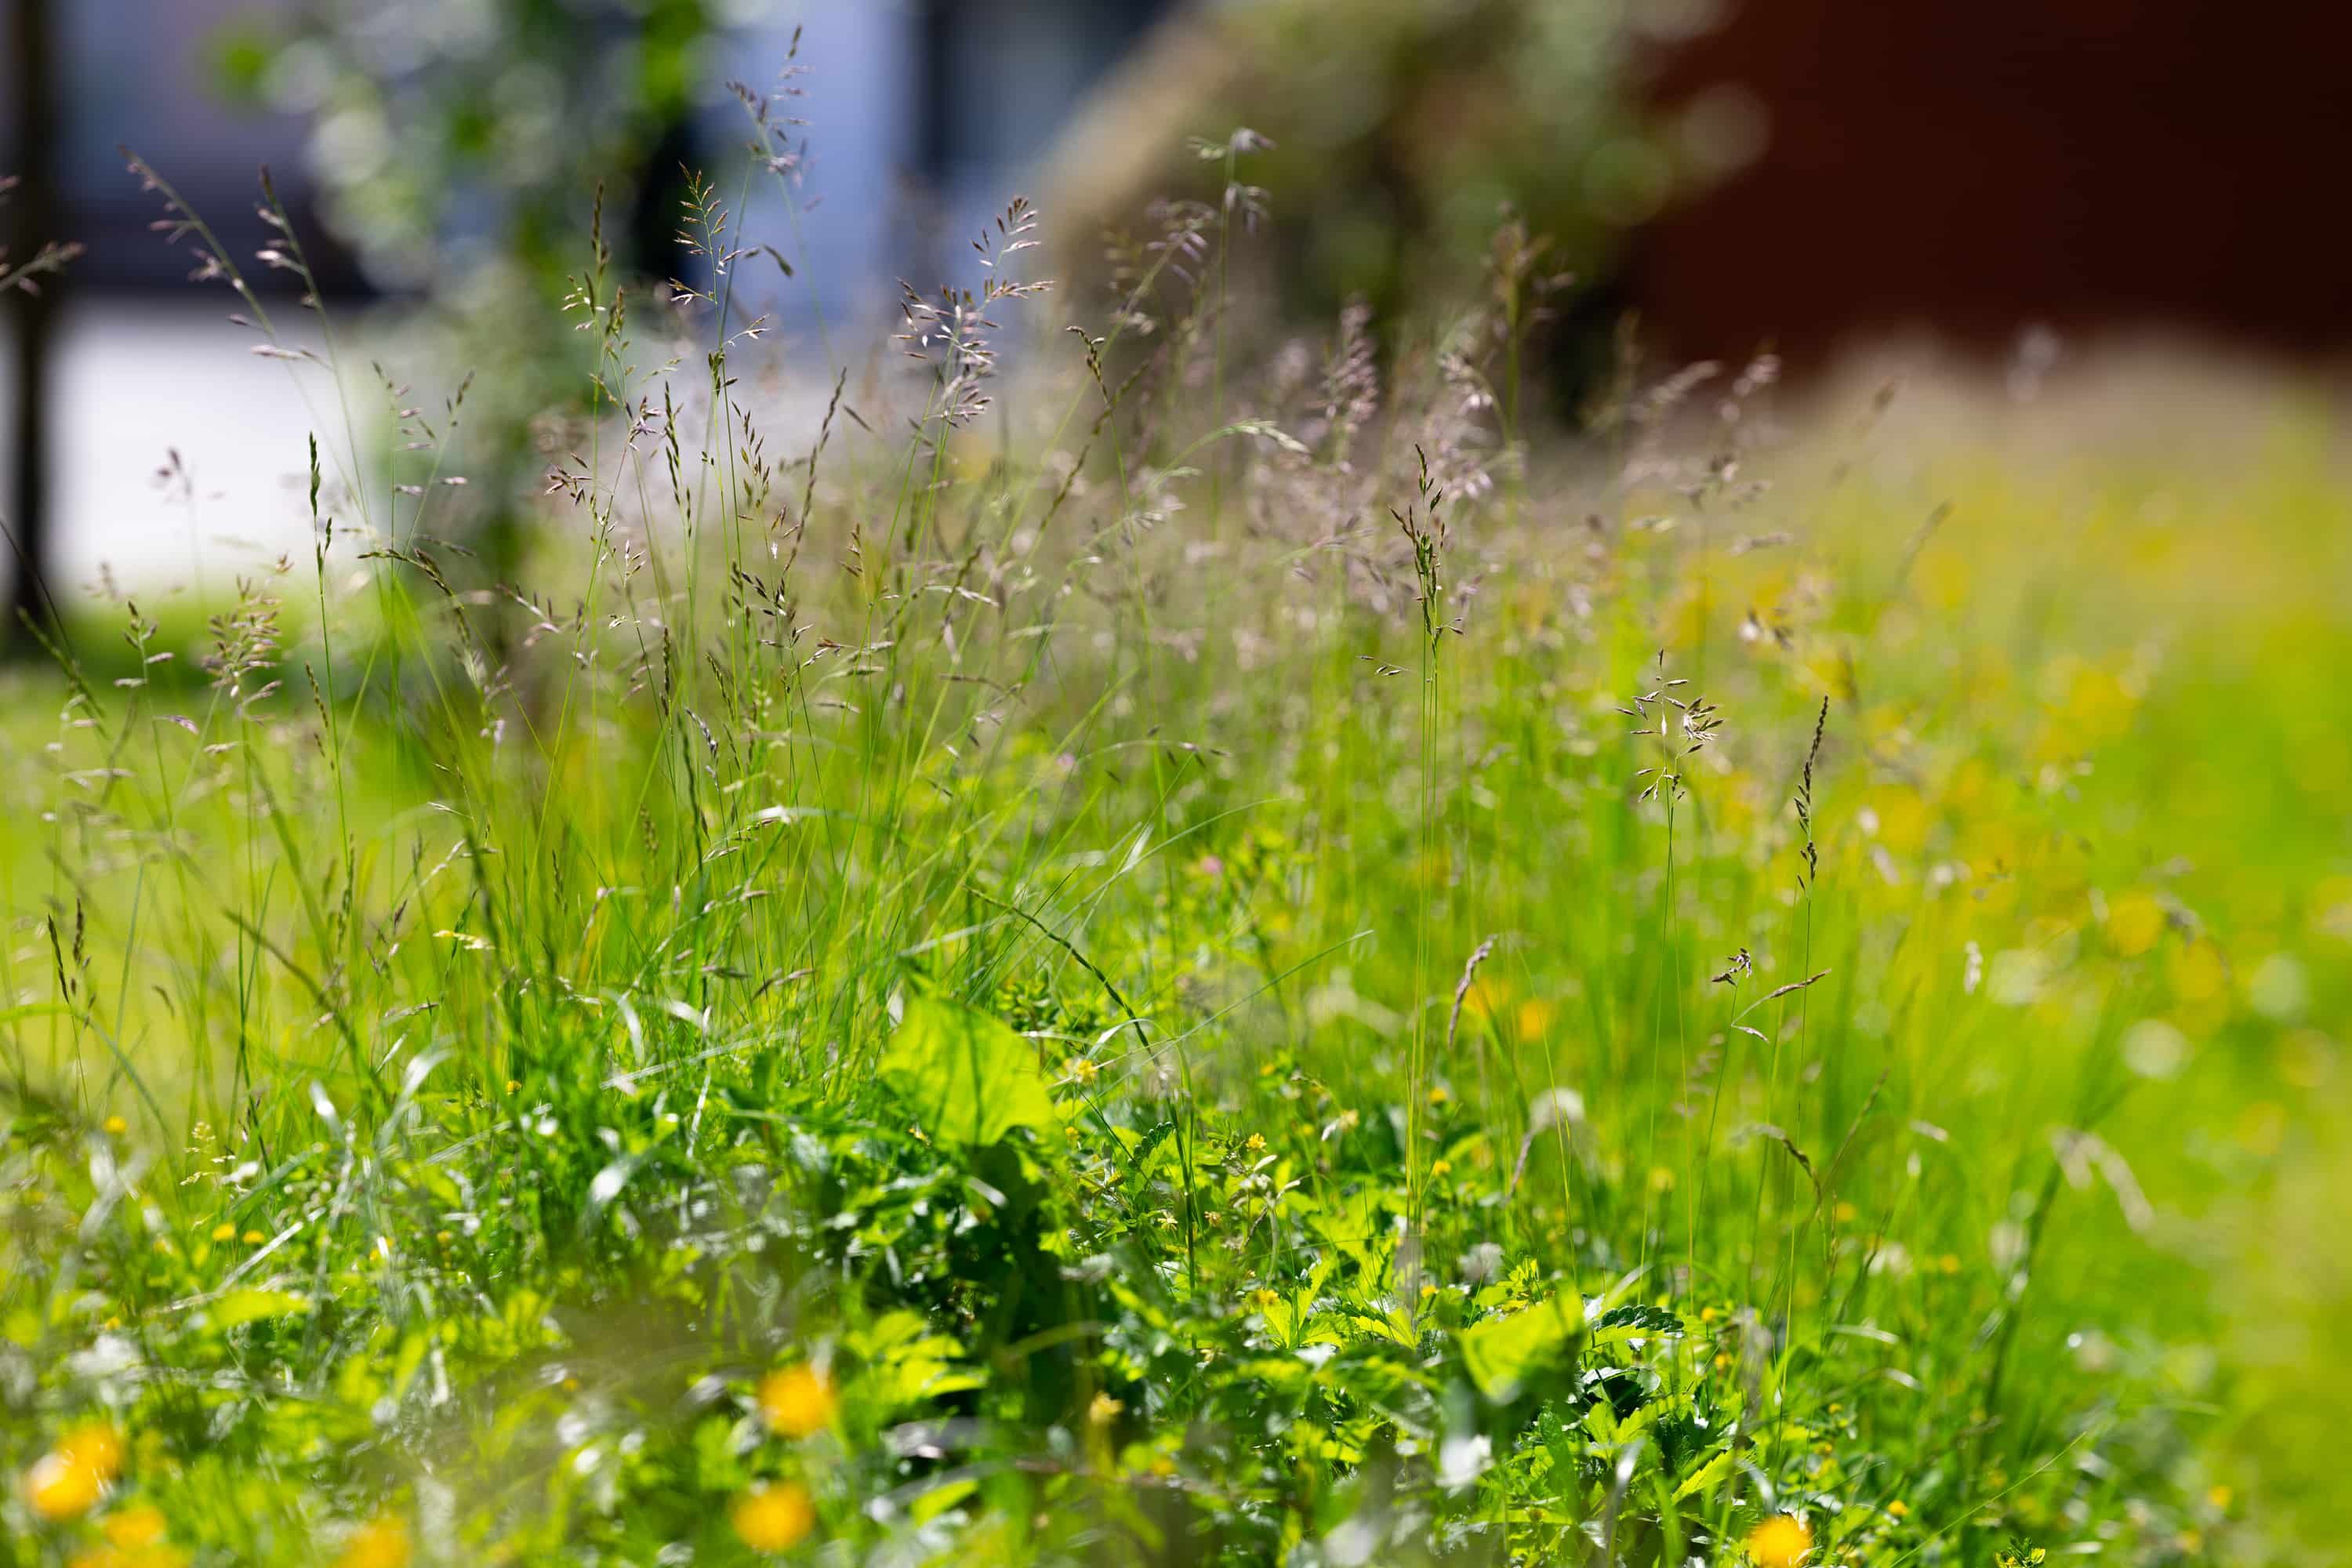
[(462, 152)]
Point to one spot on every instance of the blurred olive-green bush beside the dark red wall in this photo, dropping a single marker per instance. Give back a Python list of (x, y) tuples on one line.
[(1403, 130)]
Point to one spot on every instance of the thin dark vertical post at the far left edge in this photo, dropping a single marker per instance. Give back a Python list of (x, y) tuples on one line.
[(34, 217)]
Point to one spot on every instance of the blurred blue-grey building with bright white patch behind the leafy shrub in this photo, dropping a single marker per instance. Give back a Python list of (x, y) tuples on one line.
[(921, 116)]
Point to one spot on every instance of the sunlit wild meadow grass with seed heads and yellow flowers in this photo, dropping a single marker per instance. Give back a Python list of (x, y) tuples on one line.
[(1189, 965)]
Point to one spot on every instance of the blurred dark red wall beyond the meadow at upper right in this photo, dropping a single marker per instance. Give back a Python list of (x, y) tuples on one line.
[(1977, 166)]
